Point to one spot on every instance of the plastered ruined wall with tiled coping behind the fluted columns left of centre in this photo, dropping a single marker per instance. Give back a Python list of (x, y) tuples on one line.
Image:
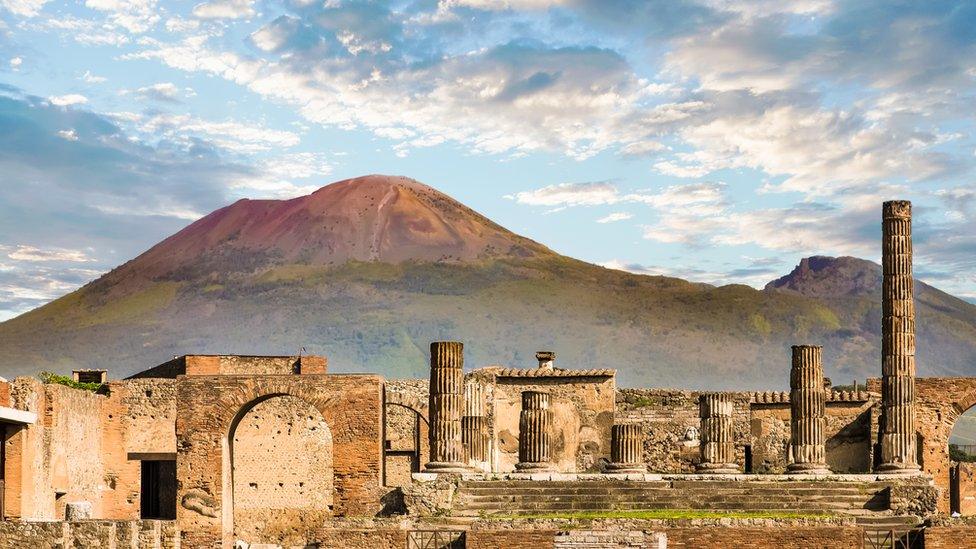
[(582, 407)]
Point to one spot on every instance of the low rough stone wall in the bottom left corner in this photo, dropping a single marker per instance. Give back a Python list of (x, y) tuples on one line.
[(148, 534)]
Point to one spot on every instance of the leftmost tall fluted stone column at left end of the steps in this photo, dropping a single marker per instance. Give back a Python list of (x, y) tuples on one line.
[(445, 406)]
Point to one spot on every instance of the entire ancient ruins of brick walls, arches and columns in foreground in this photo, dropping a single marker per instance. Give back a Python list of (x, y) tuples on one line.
[(225, 451)]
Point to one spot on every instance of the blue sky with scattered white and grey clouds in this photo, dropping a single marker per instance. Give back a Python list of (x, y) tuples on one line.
[(712, 140)]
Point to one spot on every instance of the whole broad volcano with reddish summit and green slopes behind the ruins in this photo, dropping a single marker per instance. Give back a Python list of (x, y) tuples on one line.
[(369, 270)]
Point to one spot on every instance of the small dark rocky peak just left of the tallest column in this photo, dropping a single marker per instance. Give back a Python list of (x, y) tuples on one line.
[(825, 277)]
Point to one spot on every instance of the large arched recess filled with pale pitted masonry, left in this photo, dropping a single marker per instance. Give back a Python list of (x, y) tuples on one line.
[(281, 469)]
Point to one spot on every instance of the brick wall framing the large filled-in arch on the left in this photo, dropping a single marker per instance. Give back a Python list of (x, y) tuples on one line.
[(207, 407)]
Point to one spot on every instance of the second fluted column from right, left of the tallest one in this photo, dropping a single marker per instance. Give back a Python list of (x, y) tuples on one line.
[(808, 416)]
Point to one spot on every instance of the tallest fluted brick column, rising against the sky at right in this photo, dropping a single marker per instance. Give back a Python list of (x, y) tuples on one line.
[(898, 453)]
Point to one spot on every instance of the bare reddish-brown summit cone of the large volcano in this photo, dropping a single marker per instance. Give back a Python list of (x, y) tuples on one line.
[(383, 218)]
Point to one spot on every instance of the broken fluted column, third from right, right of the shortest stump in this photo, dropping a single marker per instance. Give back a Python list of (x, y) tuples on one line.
[(717, 446)]
